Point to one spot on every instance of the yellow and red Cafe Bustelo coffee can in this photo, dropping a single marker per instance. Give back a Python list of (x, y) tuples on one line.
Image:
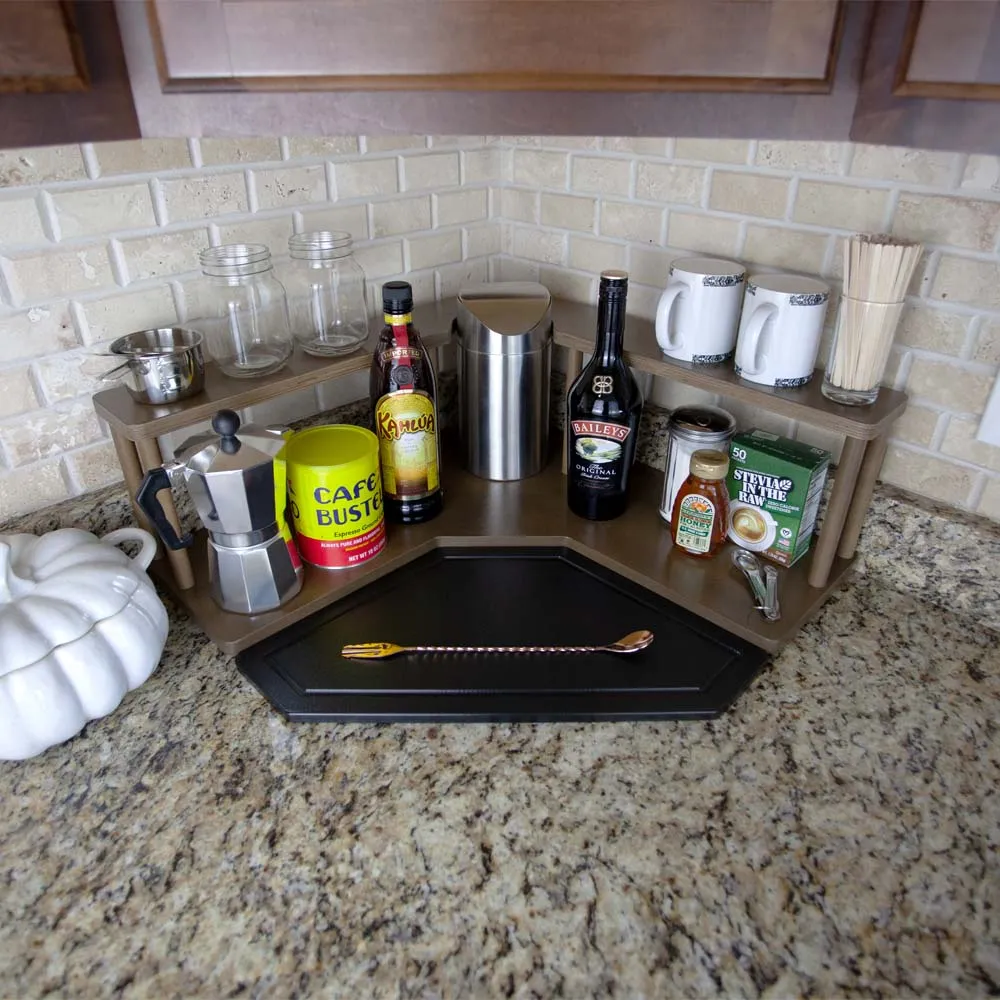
[(335, 495)]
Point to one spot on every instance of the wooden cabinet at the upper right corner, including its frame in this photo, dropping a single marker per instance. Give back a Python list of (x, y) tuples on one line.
[(932, 76)]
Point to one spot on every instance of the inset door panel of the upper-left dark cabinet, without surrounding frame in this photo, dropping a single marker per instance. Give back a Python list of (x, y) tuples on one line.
[(40, 49)]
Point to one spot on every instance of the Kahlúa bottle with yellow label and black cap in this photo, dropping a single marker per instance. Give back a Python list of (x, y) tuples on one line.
[(404, 408)]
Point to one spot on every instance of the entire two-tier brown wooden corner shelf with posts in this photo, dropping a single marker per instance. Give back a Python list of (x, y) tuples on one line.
[(534, 511)]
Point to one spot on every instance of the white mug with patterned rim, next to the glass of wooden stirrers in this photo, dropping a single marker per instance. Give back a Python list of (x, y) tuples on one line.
[(781, 328)]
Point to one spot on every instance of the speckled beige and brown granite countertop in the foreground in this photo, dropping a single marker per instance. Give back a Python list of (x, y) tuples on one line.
[(834, 834)]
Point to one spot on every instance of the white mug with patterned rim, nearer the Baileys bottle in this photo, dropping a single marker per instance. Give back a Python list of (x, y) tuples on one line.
[(699, 310)]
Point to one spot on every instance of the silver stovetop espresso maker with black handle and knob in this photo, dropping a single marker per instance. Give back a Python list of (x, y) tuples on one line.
[(239, 493)]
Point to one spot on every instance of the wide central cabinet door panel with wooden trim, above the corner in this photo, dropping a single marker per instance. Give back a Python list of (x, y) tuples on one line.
[(498, 44)]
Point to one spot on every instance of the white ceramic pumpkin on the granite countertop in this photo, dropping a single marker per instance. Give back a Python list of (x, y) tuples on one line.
[(80, 625)]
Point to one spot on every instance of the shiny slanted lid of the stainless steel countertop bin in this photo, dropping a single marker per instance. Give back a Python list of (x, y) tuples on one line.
[(504, 317)]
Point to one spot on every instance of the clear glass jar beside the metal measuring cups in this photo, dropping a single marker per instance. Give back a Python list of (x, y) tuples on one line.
[(241, 308)]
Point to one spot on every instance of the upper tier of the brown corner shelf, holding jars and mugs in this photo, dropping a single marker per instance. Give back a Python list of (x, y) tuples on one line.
[(575, 325)]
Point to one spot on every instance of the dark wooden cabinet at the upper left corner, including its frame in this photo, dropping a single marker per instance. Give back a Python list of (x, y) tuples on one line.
[(62, 74)]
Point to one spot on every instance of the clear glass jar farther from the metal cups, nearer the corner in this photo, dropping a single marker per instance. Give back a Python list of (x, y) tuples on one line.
[(326, 294)]
